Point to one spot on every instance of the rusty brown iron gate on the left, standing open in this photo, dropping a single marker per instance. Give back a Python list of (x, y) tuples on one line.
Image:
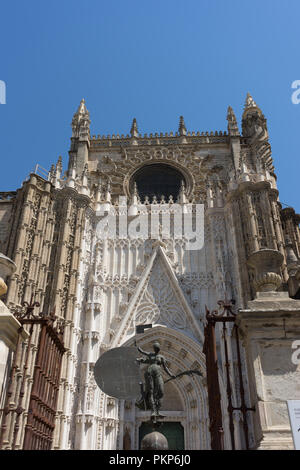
[(45, 386)]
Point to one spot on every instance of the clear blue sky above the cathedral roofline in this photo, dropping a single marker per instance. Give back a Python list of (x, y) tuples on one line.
[(151, 60)]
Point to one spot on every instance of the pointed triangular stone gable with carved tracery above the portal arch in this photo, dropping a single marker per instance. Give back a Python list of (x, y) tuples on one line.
[(159, 300)]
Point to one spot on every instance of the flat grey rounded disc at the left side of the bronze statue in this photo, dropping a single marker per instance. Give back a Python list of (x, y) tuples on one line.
[(117, 373)]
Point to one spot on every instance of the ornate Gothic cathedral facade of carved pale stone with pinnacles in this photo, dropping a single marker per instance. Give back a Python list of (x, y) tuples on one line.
[(101, 287)]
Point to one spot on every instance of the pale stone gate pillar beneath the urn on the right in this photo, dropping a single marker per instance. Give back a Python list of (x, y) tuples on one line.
[(269, 328)]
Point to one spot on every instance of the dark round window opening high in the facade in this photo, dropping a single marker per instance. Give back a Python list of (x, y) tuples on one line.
[(157, 180)]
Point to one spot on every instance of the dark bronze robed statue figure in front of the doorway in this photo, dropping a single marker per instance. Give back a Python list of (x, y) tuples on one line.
[(153, 389)]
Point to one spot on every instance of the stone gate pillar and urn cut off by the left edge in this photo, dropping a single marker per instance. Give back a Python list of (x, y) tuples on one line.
[(10, 328)]
